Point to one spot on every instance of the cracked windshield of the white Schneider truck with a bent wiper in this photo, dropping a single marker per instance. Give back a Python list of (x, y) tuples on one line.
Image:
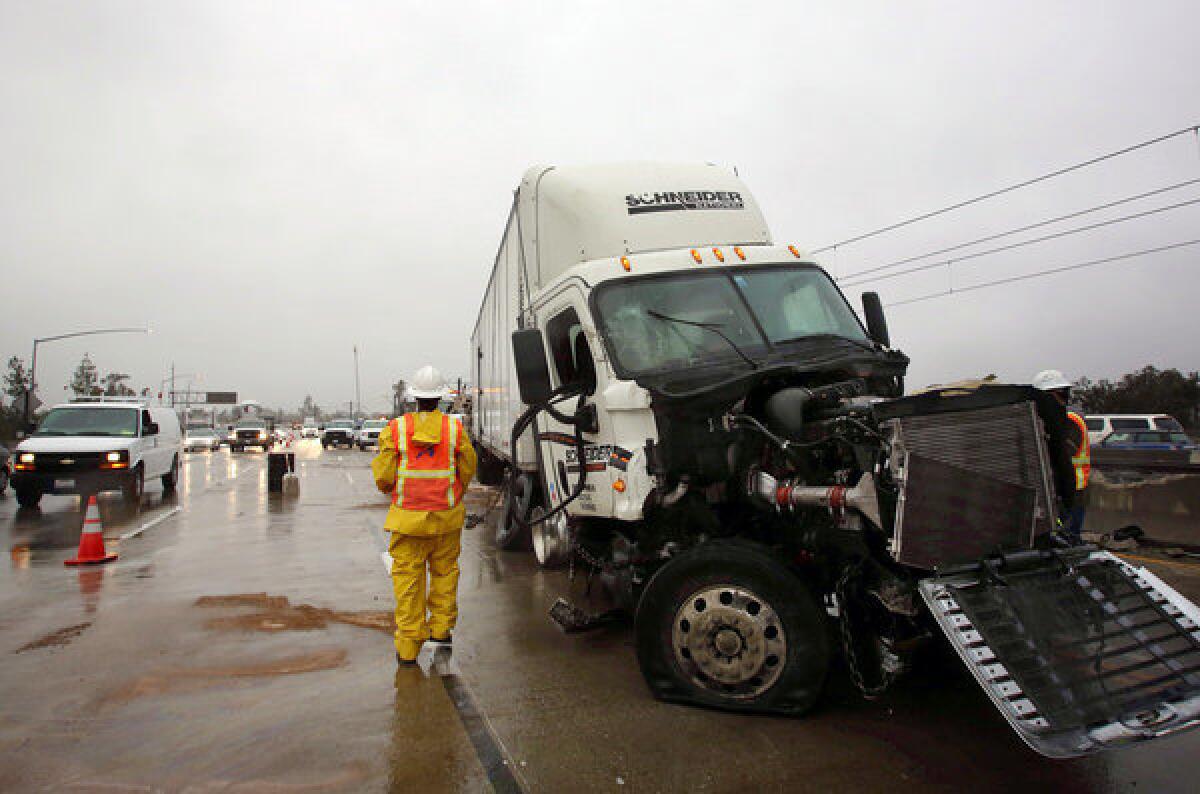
[(754, 309)]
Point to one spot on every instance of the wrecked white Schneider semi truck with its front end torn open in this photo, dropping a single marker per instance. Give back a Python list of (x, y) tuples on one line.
[(698, 419)]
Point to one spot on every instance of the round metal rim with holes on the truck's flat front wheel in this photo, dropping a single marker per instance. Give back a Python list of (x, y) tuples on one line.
[(729, 641)]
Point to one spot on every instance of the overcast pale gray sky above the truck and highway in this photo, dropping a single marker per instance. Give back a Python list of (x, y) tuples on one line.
[(269, 184)]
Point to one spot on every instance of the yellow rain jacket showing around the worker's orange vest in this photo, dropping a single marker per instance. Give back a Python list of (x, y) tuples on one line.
[(383, 467)]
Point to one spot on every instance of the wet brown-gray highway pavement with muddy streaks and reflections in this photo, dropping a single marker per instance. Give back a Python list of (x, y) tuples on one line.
[(242, 643)]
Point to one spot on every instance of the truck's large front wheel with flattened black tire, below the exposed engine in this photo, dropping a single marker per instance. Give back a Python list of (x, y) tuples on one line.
[(727, 625)]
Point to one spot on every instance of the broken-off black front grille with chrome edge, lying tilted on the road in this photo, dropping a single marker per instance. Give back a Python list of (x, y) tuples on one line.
[(1078, 649)]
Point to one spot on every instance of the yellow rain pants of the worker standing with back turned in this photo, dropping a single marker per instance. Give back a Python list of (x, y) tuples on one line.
[(411, 556)]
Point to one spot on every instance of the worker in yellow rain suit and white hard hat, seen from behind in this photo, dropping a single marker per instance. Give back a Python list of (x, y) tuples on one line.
[(425, 462)]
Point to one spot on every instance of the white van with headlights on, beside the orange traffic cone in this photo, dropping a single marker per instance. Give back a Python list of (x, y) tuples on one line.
[(99, 444)]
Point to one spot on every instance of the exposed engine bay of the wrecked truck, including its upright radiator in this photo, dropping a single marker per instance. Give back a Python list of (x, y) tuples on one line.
[(861, 496)]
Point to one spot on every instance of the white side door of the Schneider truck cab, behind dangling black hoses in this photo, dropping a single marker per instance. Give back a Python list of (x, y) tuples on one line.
[(573, 362)]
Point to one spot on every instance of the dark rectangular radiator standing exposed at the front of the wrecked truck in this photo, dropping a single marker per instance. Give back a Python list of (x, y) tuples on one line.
[(971, 483)]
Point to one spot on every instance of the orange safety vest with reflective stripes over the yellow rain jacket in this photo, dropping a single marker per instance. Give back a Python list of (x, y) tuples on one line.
[(427, 477)]
